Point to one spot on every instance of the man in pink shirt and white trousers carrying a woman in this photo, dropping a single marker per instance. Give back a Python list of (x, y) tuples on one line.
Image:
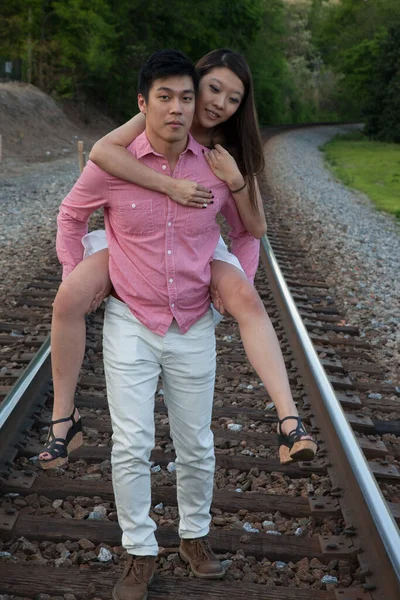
[(158, 318)]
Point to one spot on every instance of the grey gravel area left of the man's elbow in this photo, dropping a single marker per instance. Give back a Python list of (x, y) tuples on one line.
[(29, 206)]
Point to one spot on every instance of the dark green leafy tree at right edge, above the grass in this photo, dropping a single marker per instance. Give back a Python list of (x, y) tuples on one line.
[(358, 40)]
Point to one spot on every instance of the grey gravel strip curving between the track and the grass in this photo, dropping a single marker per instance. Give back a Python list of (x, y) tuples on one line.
[(356, 247)]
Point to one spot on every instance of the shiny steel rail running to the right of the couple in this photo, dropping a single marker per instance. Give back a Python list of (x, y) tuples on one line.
[(362, 498)]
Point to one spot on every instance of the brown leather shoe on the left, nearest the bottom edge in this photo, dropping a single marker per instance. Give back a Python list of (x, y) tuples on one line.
[(138, 574)]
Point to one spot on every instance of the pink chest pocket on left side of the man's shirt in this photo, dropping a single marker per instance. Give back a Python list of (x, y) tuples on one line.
[(135, 214)]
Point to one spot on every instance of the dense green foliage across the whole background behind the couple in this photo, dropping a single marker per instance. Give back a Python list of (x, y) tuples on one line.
[(312, 60)]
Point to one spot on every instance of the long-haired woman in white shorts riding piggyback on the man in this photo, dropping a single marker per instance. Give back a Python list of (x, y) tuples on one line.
[(225, 114)]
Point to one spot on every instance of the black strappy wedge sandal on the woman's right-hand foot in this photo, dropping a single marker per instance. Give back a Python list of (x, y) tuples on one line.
[(291, 447)]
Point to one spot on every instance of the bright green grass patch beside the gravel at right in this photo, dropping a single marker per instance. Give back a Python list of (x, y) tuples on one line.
[(371, 167)]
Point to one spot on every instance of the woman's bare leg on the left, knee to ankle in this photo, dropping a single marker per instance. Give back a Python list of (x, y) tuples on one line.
[(88, 282)]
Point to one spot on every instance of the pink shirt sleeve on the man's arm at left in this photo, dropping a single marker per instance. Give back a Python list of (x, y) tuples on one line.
[(88, 194)]
